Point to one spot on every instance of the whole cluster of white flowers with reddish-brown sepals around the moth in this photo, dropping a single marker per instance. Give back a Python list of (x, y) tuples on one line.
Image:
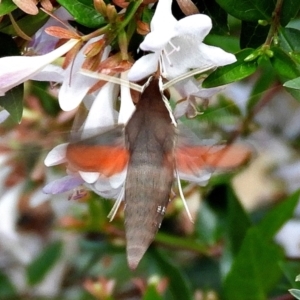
[(175, 48)]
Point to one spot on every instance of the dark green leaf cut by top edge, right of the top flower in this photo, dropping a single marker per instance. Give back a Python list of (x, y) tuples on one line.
[(249, 10)]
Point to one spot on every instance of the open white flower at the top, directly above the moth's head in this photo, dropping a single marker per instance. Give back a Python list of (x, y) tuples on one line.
[(177, 45)]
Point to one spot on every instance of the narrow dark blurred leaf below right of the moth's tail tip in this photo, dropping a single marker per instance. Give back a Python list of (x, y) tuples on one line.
[(178, 281)]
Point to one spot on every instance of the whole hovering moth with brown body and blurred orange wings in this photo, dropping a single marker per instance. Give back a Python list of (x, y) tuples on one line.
[(153, 151)]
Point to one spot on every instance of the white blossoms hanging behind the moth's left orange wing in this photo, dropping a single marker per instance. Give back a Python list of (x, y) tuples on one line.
[(101, 115)]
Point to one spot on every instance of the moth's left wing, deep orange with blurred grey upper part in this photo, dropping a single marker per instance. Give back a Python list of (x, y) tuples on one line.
[(104, 153)]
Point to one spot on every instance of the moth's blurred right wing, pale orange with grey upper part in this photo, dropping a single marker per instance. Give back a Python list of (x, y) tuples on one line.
[(196, 161)]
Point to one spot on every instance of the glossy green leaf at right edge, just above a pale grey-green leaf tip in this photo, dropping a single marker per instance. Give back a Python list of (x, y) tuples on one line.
[(284, 65)]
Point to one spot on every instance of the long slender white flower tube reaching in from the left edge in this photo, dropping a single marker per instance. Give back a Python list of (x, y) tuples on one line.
[(15, 70)]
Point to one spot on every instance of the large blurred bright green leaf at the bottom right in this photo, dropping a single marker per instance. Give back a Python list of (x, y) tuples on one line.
[(255, 270)]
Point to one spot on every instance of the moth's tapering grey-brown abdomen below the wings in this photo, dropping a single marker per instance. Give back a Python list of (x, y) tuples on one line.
[(145, 207)]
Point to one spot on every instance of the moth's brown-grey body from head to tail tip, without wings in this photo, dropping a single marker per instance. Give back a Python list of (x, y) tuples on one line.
[(150, 138)]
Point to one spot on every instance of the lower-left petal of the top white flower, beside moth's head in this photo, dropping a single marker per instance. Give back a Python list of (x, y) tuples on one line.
[(144, 67)]
